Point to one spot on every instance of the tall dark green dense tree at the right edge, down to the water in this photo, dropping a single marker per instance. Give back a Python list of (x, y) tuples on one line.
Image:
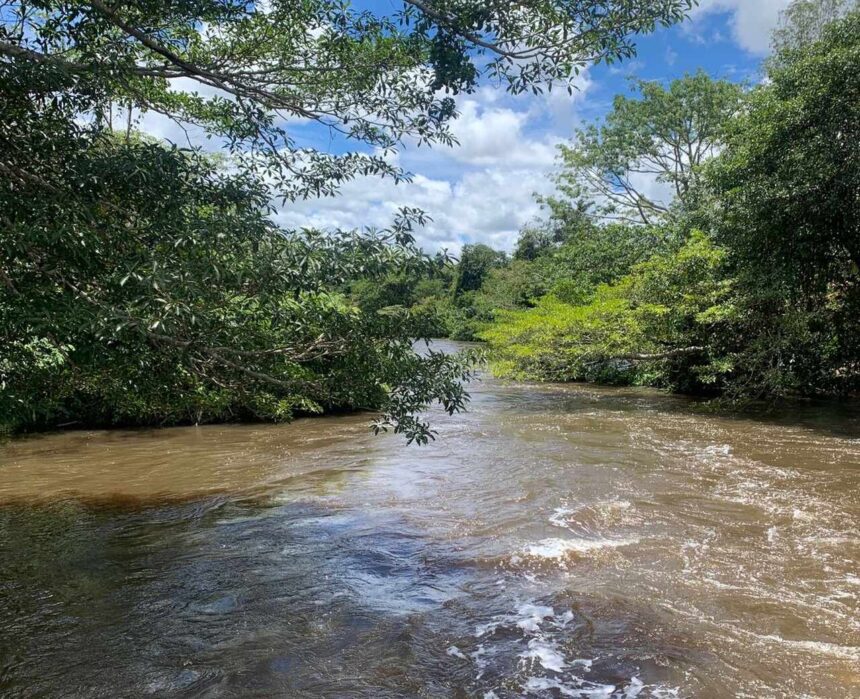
[(788, 209)]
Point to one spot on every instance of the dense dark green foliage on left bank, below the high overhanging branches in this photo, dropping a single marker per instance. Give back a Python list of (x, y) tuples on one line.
[(177, 300)]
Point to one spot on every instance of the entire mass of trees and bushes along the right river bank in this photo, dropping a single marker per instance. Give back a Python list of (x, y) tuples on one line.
[(744, 281)]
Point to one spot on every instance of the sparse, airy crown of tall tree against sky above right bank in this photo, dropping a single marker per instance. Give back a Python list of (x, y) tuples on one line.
[(662, 136)]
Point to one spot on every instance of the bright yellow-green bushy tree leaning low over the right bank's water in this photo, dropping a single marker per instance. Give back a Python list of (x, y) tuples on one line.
[(654, 325)]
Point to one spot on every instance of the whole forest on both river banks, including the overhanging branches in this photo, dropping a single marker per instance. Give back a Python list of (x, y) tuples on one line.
[(146, 283)]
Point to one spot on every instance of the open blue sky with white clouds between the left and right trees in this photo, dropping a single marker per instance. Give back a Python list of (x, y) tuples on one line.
[(483, 191)]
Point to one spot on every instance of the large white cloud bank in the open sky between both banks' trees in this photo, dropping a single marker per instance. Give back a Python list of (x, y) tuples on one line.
[(480, 191)]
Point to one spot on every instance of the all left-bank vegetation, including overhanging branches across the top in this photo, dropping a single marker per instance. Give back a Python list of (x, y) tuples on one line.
[(144, 283)]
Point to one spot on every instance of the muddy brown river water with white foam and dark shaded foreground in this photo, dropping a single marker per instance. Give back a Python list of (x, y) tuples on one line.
[(555, 541)]
